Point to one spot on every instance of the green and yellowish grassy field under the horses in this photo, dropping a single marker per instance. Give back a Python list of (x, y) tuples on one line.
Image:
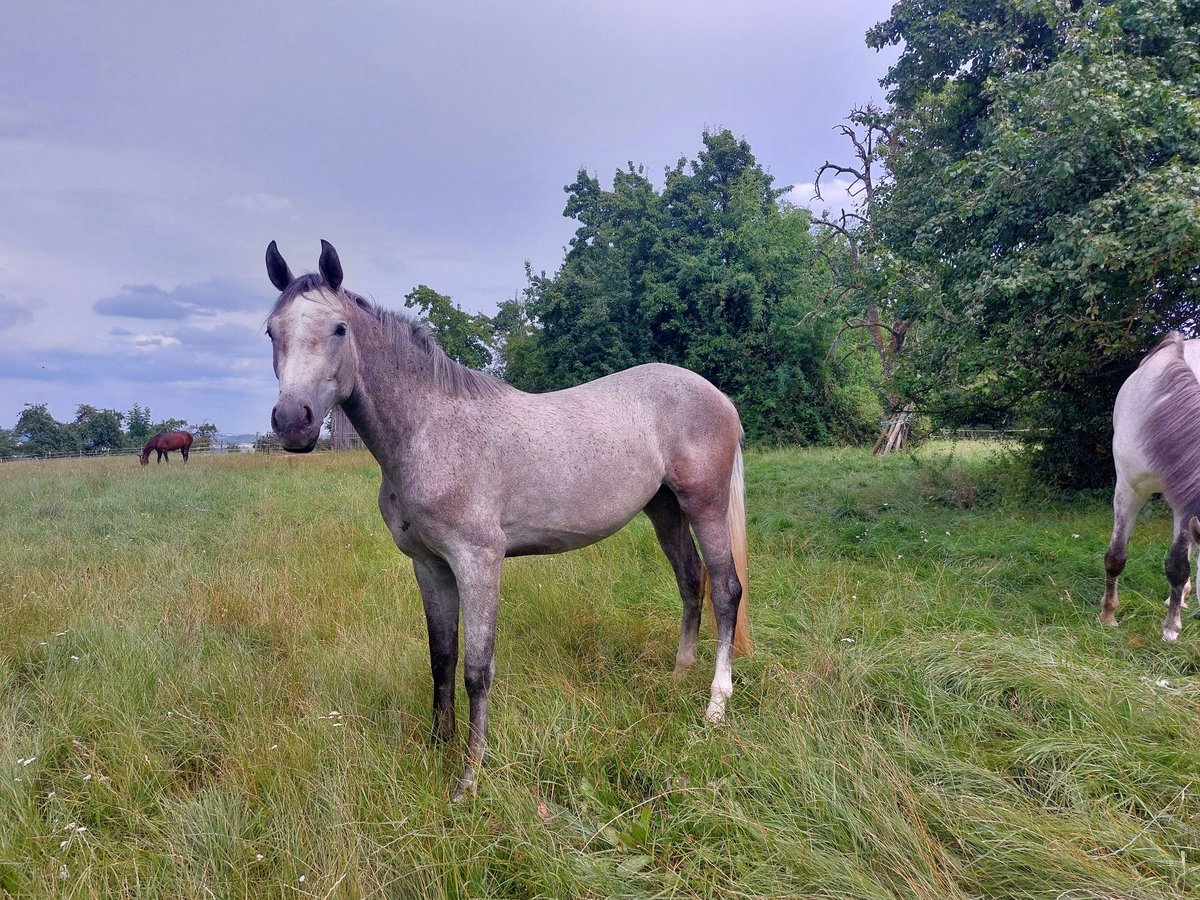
[(214, 682)]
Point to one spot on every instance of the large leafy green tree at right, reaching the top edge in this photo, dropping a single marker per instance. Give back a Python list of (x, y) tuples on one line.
[(1048, 170)]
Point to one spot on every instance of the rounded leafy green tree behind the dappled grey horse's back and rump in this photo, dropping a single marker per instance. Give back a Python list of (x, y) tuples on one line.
[(710, 273)]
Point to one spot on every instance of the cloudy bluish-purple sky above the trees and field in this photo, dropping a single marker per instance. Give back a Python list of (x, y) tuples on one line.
[(149, 153)]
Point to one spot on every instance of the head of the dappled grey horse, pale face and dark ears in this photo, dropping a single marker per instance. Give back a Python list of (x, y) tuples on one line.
[(314, 345)]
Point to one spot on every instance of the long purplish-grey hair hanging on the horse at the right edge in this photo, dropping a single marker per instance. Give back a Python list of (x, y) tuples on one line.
[(1173, 427)]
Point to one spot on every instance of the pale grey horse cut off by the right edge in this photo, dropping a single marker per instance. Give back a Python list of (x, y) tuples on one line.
[(1156, 448)]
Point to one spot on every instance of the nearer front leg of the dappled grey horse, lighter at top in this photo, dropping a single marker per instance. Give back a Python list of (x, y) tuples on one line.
[(479, 592)]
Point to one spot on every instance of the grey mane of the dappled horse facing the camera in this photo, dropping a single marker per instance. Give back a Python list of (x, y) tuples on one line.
[(403, 331)]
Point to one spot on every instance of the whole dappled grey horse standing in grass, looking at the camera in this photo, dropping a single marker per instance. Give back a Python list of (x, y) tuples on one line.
[(476, 471)]
